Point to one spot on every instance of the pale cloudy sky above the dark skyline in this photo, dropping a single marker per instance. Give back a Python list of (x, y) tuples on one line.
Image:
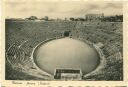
[(59, 9)]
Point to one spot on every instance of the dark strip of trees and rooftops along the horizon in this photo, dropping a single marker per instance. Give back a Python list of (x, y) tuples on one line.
[(115, 18)]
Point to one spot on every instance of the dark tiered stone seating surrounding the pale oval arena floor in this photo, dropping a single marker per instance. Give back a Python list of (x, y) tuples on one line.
[(22, 37)]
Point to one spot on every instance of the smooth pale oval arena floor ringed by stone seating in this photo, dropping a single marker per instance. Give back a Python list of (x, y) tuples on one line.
[(66, 53)]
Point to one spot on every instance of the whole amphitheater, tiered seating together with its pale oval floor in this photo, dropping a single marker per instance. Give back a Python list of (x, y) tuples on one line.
[(35, 49)]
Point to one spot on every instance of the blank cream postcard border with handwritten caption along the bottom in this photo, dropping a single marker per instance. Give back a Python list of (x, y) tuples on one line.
[(8, 83)]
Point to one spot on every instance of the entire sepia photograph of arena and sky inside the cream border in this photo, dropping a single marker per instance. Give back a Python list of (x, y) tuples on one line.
[(63, 41)]
